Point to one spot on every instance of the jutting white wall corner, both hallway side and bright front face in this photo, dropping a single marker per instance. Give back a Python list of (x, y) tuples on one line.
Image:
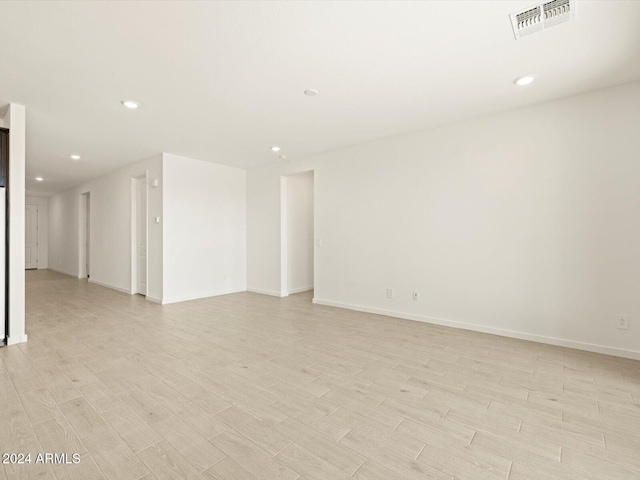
[(197, 250)]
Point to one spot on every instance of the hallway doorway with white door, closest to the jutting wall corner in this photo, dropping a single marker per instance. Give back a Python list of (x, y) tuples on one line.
[(139, 235)]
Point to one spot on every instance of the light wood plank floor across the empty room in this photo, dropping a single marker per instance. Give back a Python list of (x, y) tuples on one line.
[(244, 387)]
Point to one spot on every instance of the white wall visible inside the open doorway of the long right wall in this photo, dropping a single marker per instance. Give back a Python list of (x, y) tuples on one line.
[(299, 232)]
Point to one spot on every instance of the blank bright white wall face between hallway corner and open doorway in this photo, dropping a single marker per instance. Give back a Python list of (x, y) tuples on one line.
[(204, 229)]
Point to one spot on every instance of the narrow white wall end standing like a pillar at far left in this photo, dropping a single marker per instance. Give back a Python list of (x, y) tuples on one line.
[(15, 118)]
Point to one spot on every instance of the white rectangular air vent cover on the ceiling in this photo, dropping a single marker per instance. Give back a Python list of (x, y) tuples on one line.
[(541, 16)]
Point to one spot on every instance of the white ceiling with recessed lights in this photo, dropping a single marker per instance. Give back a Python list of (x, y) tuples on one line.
[(223, 81)]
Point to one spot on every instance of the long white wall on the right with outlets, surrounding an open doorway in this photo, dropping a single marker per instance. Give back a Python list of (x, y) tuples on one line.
[(525, 223)]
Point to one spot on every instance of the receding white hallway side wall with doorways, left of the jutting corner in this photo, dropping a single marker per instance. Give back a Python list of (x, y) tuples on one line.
[(110, 234)]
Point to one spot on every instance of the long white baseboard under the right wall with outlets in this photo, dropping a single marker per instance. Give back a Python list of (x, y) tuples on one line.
[(589, 347)]
